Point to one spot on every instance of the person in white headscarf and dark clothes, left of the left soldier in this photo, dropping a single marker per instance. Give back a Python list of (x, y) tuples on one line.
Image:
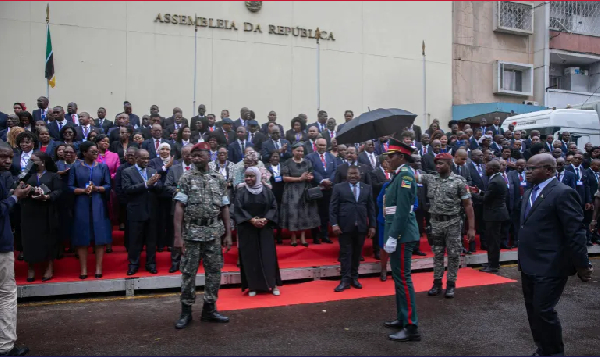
[(162, 164)]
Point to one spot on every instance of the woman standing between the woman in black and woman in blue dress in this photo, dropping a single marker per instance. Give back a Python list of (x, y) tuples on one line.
[(66, 200)]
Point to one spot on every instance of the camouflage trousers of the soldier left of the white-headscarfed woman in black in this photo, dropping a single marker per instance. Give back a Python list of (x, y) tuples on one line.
[(211, 255)]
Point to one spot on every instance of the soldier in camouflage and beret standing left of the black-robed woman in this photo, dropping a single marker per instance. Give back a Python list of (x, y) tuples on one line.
[(202, 205)]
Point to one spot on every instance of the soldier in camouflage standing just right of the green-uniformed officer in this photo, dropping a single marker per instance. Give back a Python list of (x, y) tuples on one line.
[(447, 192)]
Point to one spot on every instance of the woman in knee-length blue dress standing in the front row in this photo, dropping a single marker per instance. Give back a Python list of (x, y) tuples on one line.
[(90, 182)]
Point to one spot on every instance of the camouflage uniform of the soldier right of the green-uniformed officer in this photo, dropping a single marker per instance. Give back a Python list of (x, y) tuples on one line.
[(445, 198)]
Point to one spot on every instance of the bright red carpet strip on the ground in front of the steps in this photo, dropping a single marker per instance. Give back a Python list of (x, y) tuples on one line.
[(322, 290)]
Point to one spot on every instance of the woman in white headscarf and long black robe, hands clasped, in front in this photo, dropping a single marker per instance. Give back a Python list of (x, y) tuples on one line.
[(255, 212)]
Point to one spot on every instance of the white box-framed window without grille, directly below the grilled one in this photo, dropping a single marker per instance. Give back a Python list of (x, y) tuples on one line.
[(513, 78)]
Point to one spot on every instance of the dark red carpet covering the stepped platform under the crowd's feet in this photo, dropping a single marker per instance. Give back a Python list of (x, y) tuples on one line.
[(115, 264)]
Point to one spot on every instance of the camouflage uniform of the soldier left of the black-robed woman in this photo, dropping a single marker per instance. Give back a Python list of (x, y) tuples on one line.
[(202, 194)]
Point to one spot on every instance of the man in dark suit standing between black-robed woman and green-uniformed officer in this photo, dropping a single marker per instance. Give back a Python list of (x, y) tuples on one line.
[(352, 212)]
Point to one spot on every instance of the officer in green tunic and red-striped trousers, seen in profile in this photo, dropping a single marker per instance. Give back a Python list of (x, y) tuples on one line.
[(403, 237)]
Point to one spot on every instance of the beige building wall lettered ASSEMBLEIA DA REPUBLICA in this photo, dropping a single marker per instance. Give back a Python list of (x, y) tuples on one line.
[(108, 52)]
